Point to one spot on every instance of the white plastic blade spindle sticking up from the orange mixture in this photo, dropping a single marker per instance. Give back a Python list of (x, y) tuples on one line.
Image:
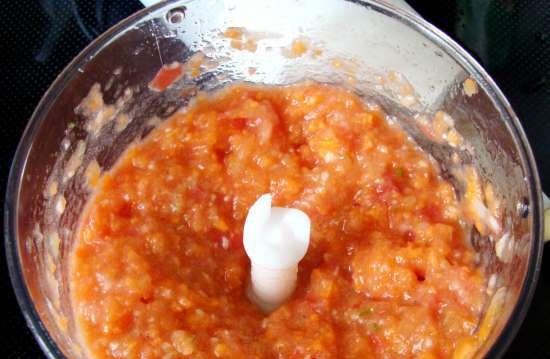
[(275, 239)]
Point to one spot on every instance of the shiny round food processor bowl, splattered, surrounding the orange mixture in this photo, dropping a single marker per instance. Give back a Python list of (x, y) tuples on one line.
[(361, 42)]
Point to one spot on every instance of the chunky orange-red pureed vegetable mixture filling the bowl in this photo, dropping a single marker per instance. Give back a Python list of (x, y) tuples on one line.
[(159, 269)]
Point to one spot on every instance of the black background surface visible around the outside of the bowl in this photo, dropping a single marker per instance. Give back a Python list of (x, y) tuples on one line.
[(511, 38)]
